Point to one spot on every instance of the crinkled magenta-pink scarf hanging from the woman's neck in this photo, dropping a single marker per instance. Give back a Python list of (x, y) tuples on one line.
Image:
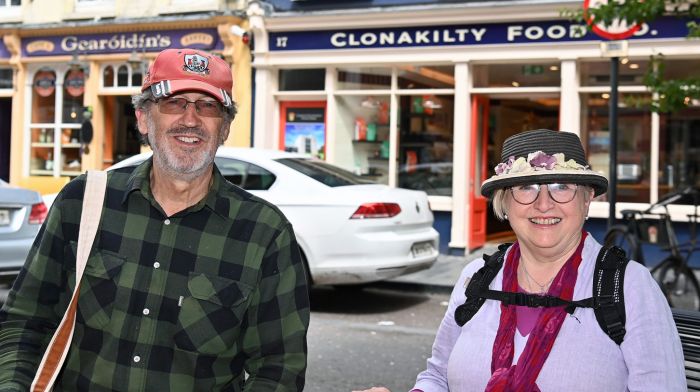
[(522, 376)]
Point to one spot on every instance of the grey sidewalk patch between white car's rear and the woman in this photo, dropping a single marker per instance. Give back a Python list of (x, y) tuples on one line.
[(444, 273)]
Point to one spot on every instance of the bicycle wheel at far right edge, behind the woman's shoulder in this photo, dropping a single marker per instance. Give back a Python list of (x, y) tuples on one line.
[(679, 284)]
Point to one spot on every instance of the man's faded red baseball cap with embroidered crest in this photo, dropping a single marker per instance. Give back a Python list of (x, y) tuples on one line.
[(176, 70)]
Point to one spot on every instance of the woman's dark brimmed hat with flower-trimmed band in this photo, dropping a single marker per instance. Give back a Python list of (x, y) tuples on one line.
[(543, 156)]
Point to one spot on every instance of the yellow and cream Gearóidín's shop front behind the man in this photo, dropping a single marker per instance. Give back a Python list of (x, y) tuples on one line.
[(74, 91)]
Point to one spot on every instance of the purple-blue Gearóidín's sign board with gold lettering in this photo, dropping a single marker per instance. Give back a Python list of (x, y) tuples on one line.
[(152, 41)]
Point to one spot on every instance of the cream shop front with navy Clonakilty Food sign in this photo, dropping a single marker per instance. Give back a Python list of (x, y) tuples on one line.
[(423, 98)]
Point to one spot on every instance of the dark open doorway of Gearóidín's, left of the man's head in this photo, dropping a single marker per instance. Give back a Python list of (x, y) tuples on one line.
[(121, 132)]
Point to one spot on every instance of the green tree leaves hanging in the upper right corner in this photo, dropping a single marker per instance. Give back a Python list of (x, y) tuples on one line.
[(669, 95)]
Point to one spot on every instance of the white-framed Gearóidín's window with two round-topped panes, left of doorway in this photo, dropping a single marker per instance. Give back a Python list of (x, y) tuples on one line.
[(54, 142)]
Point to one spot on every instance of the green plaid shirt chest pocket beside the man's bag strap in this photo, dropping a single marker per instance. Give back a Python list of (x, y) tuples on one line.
[(98, 289)]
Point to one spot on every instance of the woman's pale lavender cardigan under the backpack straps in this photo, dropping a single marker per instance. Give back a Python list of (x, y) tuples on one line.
[(583, 357)]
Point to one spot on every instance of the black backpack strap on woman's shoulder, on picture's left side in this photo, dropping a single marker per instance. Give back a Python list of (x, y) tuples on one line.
[(479, 283)]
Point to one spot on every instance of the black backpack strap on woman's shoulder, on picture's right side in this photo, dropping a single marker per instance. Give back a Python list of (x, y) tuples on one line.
[(608, 292)]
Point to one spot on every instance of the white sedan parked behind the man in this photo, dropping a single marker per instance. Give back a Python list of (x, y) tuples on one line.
[(350, 230)]
